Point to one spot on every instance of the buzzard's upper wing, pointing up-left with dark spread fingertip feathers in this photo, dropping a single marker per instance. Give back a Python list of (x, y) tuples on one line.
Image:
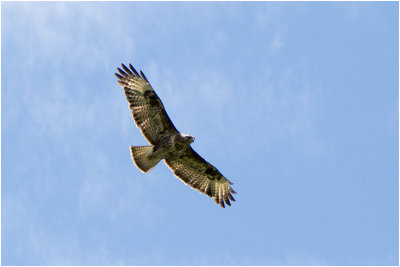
[(148, 112)]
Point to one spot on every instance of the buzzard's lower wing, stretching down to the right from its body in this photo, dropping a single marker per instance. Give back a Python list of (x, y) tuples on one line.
[(193, 170)]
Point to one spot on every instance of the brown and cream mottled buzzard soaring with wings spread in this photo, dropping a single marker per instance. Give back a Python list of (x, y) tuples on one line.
[(167, 142)]
